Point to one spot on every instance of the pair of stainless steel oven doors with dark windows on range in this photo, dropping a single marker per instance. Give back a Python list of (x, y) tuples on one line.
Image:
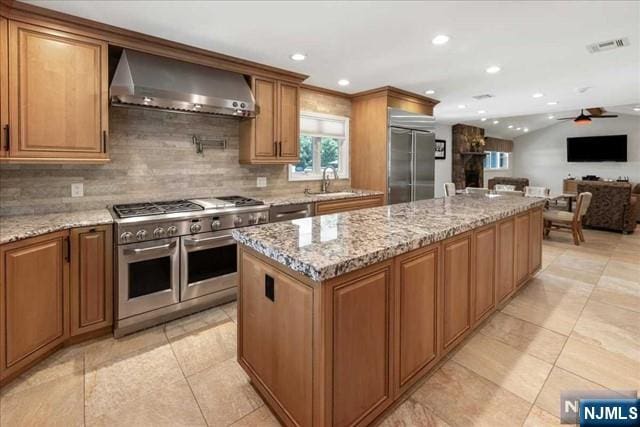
[(164, 272)]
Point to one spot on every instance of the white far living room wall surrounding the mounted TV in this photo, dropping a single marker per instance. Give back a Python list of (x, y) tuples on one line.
[(541, 156)]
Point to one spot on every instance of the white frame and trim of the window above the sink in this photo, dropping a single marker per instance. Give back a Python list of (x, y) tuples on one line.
[(343, 155)]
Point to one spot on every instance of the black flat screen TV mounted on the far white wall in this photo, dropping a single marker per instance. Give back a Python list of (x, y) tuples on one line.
[(608, 148)]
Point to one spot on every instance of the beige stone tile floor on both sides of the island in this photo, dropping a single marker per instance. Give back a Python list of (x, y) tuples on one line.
[(575, 326)]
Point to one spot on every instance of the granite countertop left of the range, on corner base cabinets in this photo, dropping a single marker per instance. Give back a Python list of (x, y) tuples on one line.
[(13, 228)]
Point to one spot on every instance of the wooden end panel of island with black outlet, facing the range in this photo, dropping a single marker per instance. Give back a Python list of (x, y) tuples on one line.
[(276, 335)]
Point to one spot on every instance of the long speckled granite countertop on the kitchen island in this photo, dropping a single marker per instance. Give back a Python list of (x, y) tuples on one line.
[(327, 246)]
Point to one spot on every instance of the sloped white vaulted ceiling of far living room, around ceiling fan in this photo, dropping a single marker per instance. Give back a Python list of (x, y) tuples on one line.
[(534, 122)]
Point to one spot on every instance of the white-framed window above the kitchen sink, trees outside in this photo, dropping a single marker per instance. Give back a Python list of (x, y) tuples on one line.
[(324, 141)]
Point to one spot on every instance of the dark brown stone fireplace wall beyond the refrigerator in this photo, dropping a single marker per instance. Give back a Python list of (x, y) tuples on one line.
[(465, 164)]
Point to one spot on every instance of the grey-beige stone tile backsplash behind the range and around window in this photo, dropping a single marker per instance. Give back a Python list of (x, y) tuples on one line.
[(153, 158)]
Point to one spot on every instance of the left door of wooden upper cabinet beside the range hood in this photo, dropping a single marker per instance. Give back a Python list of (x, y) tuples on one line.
[(265, 137)]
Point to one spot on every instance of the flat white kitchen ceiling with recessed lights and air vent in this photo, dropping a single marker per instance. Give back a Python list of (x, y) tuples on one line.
[(540, 46)]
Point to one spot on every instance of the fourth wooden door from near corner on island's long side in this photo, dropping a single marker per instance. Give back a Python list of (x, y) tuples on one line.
[(484, 272)]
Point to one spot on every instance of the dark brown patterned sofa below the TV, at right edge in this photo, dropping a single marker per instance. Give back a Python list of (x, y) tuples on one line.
[(613, 205)]
